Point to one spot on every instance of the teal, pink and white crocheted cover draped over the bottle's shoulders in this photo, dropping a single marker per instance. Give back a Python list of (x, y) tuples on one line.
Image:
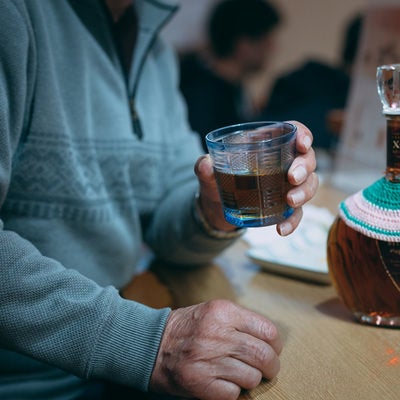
[(374, 211)]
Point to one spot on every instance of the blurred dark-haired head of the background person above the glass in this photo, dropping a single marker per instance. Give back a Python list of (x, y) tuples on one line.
[(243, 30)]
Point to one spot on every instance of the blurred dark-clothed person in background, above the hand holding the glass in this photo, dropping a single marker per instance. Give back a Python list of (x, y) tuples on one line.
[(316, 92)]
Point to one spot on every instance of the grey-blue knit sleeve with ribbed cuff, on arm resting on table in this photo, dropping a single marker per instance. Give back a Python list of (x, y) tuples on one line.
[(47, 312)]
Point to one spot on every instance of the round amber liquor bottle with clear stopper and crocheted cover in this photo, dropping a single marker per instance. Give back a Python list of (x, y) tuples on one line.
[(364, 241)]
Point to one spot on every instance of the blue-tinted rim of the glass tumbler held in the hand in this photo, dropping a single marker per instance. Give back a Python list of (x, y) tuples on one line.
[(214, 138)]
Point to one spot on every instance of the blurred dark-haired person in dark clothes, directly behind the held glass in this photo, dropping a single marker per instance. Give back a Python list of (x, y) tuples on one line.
[(240, 40)]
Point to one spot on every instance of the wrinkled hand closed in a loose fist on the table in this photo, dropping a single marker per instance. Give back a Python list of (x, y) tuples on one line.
[(212, 350)]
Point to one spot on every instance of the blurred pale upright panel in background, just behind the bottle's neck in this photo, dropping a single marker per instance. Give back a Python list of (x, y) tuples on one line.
[(361, 156)]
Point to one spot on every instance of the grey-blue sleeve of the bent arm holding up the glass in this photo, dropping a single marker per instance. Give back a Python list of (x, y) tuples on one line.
[(174, 232)]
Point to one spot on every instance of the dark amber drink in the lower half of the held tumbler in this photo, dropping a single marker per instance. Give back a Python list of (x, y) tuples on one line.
[(254, 200)]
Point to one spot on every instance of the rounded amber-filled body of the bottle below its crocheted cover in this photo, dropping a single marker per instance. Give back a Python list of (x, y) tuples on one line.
[(366, 274)]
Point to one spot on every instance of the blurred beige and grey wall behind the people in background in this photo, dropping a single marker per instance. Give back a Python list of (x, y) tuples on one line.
[(311, 29)]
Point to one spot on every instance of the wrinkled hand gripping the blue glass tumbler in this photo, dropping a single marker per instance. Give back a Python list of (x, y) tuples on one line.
[(301, 175)]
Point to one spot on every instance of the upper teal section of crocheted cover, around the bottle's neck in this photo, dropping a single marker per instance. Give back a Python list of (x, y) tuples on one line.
[(383, 194)]
